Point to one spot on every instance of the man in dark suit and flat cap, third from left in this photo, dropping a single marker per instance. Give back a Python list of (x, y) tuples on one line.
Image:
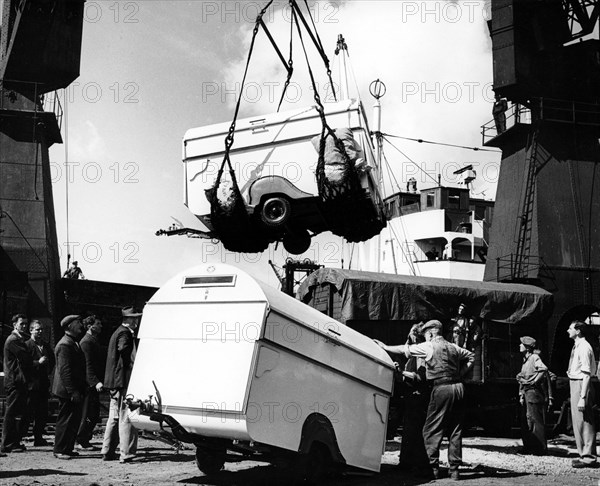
[(69, 386)]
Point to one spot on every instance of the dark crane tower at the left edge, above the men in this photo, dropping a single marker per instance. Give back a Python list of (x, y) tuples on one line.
[(40, 48)]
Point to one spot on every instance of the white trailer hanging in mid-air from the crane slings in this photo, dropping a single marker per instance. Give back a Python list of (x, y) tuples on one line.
[(275, 162)]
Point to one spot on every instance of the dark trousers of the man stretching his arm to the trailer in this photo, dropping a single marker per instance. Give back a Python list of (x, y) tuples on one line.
[(445, 416)]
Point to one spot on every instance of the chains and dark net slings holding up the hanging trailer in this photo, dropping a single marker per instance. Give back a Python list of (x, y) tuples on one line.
[(346, 206)]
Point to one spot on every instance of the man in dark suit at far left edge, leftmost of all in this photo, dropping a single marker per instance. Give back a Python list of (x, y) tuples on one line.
[(18, 368)]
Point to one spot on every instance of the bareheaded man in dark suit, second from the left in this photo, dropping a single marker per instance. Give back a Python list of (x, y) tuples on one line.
[(43, 362)]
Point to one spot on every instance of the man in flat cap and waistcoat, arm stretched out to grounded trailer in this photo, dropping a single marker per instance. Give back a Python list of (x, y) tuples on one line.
[(445, 366)]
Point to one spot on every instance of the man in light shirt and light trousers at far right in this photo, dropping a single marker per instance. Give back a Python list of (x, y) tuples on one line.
[(582, 366)]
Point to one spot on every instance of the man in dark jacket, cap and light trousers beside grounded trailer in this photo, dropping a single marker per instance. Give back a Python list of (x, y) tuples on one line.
[(119, 363)]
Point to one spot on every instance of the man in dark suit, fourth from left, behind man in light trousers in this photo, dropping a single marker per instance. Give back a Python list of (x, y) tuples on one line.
[(94, 366)]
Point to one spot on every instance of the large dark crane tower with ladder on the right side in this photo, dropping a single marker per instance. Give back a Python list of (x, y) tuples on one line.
[(547, 63)]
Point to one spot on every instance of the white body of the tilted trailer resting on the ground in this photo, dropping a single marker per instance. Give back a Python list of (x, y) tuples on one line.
[(245, 361)]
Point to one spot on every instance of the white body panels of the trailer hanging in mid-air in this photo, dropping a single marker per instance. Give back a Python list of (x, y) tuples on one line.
[(274, 144)]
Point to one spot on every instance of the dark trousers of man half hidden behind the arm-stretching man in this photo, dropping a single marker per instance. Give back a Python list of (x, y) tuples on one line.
[(412, 451)]
